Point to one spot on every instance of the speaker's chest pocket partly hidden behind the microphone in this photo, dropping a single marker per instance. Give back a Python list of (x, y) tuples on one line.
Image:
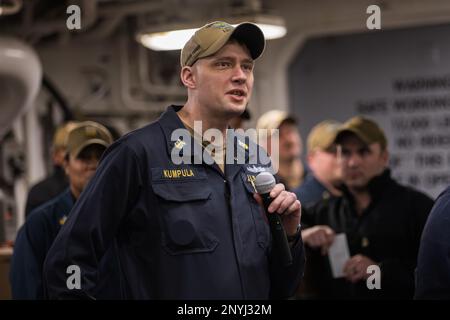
[(261, 224)]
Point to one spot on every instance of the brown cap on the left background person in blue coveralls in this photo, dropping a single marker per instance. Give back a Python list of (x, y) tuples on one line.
[(87, 133)]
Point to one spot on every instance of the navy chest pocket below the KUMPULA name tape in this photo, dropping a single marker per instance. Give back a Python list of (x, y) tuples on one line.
[(185, 215)]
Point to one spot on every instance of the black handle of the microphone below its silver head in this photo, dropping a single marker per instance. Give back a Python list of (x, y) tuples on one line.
[(279, 238)]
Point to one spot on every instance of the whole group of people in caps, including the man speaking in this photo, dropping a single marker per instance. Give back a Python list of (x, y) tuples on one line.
[(140, 226)]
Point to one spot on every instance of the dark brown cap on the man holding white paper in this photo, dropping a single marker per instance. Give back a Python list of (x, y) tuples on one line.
[(365, 129)]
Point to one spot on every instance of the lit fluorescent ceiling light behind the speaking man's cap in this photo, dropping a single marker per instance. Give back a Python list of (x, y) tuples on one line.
[(177, 37)]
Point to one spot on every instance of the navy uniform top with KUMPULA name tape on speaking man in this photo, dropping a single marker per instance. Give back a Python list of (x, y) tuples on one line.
[(184, 231)]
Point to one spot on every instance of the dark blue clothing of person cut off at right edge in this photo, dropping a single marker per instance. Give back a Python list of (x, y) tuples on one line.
[(433, 265)]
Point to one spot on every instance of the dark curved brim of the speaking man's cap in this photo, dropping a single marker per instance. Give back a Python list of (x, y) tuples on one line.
[(252, 36)]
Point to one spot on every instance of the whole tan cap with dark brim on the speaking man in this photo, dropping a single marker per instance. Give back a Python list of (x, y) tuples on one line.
[(213, 36)]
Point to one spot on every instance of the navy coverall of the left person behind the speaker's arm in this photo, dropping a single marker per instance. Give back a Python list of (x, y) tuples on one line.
[(34, 240)]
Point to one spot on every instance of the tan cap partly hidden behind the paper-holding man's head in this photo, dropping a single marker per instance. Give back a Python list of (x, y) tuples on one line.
[(323, 135)]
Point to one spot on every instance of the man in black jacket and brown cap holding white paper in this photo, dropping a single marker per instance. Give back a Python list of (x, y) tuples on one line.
[(365, 243)]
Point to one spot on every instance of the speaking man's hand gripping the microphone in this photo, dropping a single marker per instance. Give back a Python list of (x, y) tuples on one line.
[(286, 204)]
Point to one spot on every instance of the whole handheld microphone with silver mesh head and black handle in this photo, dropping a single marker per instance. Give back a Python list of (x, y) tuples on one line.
[(264, 183)]
